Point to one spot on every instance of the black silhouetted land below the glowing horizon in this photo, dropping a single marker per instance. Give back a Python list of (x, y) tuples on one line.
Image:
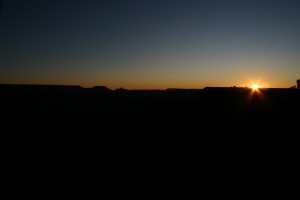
[(221, 142)]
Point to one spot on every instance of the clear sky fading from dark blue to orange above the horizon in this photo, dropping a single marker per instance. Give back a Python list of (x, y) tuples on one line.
[(150, 44)]
